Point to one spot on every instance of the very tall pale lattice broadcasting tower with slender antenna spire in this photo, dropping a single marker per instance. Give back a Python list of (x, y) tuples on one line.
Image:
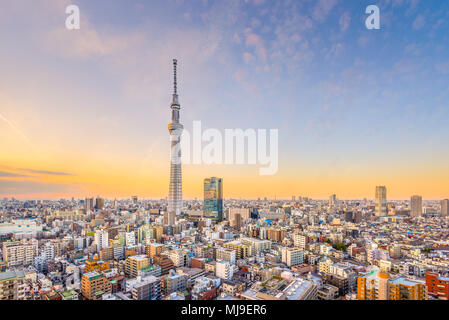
[(175, 128)]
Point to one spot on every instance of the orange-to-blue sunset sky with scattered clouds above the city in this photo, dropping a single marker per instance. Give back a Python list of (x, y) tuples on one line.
[(85, 112)]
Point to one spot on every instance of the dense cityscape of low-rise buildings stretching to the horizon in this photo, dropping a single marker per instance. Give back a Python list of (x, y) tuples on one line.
[(261, 249)]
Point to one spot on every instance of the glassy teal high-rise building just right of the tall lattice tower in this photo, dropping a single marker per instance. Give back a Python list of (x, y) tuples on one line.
[(213, 198)]
